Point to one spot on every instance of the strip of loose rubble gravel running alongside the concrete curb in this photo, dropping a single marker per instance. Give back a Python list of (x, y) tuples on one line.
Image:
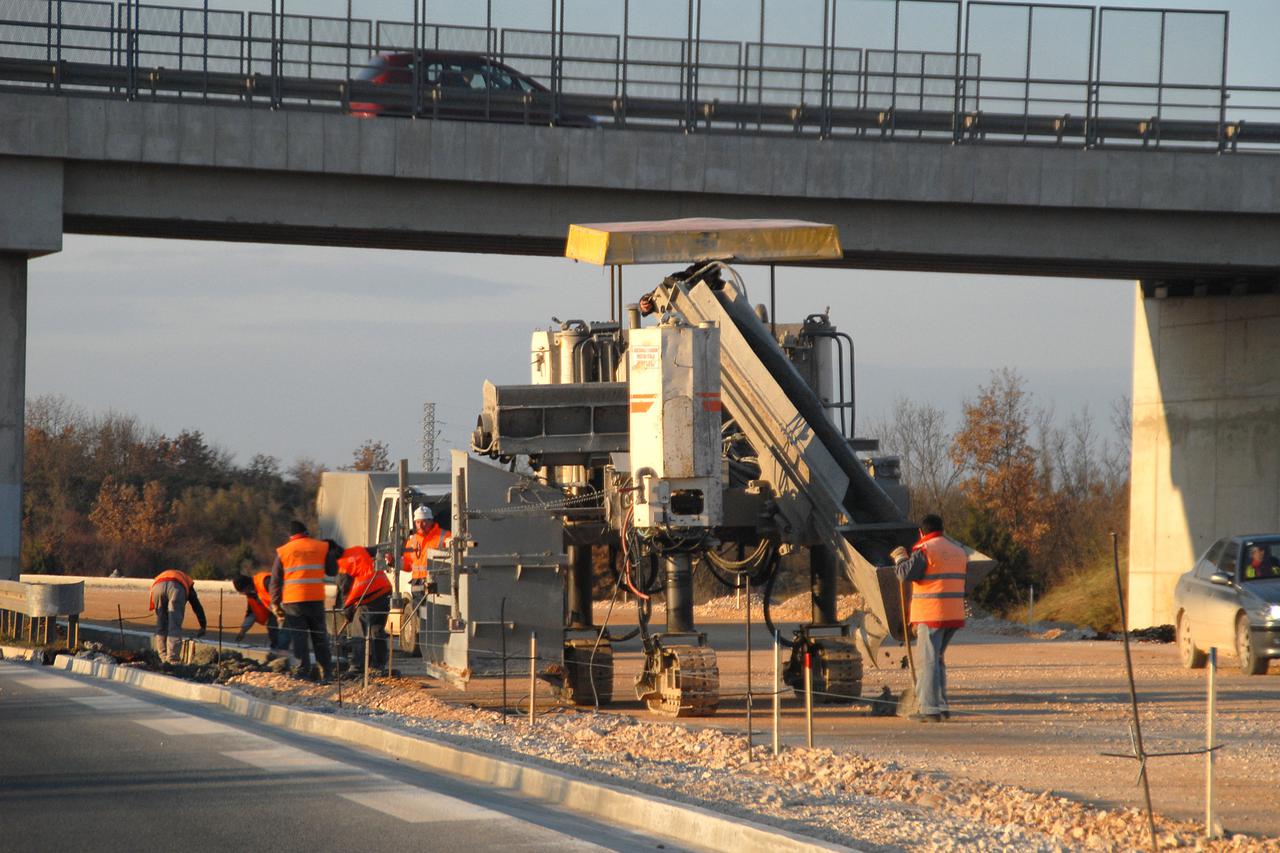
[(843, 797)]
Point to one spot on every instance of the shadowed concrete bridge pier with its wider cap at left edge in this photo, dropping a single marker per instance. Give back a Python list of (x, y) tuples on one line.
[(31, 225)]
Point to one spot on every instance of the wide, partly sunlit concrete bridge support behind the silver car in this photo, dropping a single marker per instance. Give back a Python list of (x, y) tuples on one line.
[(1206, 434)]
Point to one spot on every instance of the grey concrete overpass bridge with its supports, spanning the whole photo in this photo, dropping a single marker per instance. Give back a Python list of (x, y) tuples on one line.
[(1183, 200)]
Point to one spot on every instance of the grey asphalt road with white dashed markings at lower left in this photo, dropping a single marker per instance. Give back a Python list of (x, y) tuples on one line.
[(103, 767)]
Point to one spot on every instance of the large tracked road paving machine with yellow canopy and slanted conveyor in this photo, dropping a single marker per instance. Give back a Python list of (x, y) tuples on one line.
[(708, 440)]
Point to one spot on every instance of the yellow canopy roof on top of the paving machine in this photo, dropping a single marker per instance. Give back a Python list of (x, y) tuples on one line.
[(694, 240)]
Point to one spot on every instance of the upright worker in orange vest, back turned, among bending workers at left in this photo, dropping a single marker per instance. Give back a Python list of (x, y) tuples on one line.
[(298, 596)]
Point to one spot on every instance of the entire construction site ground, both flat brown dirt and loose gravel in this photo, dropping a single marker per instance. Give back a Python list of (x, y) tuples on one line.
[(1034, 713)]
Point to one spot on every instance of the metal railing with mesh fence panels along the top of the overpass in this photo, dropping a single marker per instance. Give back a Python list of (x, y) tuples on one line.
[(996, 81)]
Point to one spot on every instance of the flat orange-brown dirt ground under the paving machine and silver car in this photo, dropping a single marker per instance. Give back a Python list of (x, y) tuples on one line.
[(1031, 714)]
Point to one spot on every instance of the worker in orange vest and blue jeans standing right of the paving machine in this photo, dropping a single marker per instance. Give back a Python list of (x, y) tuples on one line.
[(936, 568)]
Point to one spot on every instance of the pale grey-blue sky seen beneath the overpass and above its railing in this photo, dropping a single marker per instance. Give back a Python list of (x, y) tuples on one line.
[(309, 352)]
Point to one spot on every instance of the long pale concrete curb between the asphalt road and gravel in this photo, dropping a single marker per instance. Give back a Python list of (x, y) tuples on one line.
[(615, 806)]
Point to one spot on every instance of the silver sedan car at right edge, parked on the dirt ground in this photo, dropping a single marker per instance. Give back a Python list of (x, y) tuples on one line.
[(1232, 600)]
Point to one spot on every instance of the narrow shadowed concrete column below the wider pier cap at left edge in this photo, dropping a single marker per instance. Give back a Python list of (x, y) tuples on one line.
[(13, 381)]
